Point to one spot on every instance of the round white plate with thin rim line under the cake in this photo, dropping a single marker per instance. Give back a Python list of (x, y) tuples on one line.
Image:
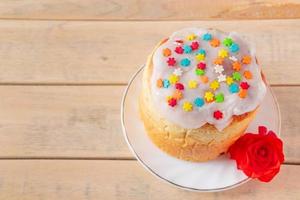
[(215, 175)]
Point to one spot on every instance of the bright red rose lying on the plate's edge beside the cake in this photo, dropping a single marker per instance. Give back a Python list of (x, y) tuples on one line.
[(258, 155)]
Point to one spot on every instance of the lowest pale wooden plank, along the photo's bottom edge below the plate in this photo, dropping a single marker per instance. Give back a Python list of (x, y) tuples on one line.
[(88, 180)]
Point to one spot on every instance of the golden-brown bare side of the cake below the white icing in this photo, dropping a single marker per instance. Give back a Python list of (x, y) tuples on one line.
[(201, 144)]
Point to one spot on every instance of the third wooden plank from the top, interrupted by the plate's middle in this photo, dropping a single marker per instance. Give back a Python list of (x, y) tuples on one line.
[(84, 122)]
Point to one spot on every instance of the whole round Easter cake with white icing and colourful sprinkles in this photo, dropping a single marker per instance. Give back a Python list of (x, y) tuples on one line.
[(201, 89)]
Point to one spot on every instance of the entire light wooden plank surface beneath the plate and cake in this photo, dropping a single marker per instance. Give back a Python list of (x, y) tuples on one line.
[(65, 64)]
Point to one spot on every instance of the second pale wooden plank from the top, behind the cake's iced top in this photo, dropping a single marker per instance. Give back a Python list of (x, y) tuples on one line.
[(53, 52)]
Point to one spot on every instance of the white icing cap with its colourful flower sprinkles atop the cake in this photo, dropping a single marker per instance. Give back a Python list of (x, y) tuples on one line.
[(216, 73)]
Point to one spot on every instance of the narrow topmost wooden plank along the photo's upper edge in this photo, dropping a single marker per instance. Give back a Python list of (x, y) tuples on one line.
[(149, 10)]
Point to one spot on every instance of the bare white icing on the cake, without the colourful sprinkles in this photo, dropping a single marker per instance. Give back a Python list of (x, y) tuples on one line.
[(232, 104)]
